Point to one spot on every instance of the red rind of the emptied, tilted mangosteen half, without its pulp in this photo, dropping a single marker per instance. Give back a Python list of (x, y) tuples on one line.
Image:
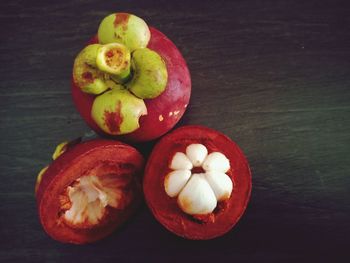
[(70, 166)]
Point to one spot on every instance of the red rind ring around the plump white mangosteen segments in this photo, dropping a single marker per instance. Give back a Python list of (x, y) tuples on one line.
[(166, 210)]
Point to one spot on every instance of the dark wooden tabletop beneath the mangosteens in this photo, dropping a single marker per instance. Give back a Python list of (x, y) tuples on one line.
[(272, 75)]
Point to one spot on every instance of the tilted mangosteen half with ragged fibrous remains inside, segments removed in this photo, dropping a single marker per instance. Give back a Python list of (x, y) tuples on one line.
[(89, 190)]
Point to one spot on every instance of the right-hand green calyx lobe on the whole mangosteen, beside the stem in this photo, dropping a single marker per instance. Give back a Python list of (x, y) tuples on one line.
[(150, 74)]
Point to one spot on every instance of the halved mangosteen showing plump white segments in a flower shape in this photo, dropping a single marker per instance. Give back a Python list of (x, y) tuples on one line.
[(197, 182)]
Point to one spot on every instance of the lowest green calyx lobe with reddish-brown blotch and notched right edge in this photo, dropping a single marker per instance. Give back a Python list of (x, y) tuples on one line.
[(117, 111)]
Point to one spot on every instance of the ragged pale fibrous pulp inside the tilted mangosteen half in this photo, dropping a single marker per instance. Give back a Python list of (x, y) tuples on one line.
[(89, 197)]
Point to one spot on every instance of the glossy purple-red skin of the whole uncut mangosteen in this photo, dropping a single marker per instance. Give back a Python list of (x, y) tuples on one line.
[(174, 99)]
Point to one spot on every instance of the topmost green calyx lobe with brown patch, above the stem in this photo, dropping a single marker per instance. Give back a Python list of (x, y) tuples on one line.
[(126, 29)]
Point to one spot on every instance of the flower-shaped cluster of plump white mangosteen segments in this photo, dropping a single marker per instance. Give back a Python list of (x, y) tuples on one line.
[(198, 193)]
